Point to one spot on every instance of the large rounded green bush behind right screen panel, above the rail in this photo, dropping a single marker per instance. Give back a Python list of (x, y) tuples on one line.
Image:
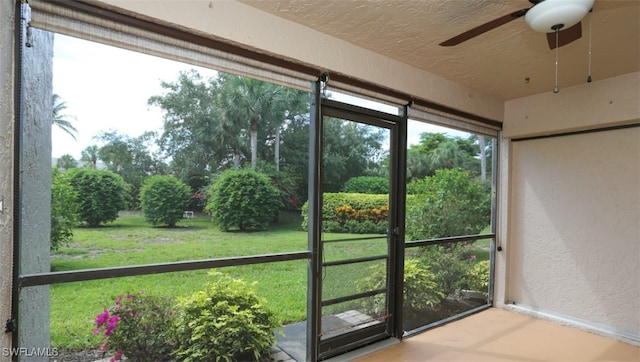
[(450, 203)]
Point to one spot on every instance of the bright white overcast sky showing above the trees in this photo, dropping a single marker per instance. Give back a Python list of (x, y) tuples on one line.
[(107, 88)]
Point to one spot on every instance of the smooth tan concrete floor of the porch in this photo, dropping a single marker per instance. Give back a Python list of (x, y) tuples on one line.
[(498, 335)]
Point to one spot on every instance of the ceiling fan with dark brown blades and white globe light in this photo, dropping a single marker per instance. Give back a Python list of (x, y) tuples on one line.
[(560, 19)]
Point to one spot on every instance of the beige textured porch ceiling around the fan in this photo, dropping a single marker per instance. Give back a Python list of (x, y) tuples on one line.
[(509, 62)]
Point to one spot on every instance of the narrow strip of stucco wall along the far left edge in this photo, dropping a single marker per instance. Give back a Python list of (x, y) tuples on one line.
[(6, 167)]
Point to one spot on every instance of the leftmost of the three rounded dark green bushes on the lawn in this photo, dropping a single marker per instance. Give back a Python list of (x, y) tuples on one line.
[(101, 195)]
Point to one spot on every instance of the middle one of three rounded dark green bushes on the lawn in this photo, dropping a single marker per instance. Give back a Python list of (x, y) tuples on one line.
[(163, 200)]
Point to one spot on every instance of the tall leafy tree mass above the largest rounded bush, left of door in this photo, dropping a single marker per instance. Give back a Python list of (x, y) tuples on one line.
[(218, 123)]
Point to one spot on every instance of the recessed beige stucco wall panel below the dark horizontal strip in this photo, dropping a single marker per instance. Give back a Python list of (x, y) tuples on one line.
[(575, 227)]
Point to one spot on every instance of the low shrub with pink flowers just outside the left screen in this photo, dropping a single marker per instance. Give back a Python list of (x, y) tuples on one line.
[(138, 326)]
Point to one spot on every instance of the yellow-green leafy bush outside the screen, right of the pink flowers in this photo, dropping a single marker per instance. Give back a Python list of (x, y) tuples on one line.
[(225, 322)]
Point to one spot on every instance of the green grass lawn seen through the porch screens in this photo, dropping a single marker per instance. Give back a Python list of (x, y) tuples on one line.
[(131, 241)]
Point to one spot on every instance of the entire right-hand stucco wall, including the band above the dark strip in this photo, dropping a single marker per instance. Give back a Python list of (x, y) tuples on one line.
[(572, 236)]
